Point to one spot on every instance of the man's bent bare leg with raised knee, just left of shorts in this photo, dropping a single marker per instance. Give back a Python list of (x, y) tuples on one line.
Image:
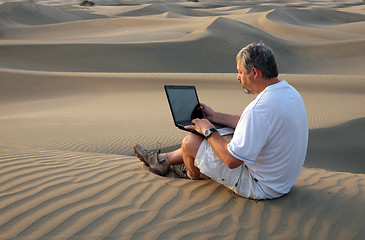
[(190, 147)]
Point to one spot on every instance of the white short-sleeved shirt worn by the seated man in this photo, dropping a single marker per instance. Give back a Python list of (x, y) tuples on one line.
[(271, 138)]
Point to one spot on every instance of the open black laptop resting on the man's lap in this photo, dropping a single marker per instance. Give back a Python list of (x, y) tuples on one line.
[(185, 106)]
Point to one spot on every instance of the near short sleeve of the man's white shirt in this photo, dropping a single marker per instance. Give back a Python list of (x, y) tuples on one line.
[(250, 136)]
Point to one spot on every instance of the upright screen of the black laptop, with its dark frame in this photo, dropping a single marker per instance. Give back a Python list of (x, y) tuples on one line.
[(184, 103)]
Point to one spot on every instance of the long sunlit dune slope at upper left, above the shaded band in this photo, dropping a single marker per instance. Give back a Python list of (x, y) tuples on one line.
[(106, 30)]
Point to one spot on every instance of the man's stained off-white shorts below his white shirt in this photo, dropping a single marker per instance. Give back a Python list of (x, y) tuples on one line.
[(238, 180)]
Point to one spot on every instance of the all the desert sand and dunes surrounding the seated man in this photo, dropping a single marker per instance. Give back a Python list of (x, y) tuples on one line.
[(79, 86)]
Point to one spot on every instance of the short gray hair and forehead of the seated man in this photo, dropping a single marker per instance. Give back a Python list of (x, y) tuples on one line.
[(259, 56)]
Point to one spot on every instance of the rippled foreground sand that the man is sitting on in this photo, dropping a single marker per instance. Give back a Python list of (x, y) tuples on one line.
[(62, 195)]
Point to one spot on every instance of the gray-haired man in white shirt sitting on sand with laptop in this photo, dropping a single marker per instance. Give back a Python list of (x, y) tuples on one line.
[(266, 153)]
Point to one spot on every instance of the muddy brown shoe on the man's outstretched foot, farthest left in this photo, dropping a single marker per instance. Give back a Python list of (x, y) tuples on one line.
[(160, 166)]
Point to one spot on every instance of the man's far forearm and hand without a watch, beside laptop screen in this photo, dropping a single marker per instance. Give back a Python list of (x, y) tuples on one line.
[(221, 118)]
